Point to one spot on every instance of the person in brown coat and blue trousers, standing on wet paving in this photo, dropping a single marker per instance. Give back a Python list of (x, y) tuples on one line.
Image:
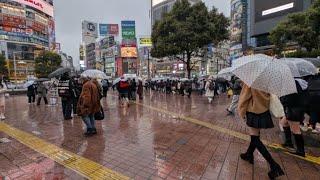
[(89, 104)]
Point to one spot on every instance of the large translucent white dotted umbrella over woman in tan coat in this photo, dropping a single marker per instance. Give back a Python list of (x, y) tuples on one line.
[(263, 73)]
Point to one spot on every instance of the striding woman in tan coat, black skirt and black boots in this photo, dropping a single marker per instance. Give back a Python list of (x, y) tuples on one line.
[(254, 107)]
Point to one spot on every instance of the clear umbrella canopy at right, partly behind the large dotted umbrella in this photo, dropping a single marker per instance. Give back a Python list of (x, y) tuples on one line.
[(299, 67)]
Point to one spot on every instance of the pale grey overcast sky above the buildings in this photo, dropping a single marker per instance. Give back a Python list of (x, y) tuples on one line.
[(70, 13)]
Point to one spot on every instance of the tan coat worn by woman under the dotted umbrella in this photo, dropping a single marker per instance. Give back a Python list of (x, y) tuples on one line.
[(252, 100)]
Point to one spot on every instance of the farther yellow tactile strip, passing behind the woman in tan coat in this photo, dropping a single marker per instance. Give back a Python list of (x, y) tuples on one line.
[(312, 159)]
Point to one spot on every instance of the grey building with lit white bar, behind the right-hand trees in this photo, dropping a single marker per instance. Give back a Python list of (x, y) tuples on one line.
[(253, 20)]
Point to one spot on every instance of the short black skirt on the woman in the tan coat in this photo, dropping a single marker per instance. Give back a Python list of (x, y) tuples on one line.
[(260, 121)]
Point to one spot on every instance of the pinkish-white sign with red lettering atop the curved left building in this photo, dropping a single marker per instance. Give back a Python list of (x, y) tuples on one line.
[(38, 4)]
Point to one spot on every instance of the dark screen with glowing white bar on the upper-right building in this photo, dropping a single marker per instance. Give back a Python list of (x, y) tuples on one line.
[(274, 8)]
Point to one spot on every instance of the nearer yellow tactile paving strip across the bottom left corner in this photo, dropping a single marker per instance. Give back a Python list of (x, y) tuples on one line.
[(81, 165)]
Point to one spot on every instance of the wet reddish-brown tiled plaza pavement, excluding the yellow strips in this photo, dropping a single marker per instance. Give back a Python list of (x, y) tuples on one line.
[(143, 143)]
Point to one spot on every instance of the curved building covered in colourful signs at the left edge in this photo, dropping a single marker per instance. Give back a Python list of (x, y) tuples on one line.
[(26, 29)]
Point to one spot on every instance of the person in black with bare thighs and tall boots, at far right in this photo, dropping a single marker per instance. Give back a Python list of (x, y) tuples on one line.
[(294, 108)]
